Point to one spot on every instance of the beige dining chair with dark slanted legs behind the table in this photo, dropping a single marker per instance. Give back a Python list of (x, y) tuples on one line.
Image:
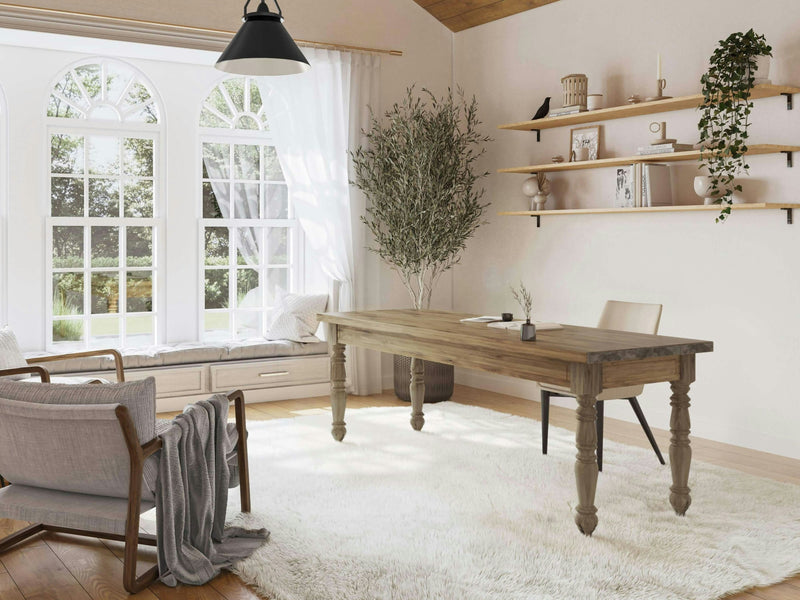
[(620, 316)]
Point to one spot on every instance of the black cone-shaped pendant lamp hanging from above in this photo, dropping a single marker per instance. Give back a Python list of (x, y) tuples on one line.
[(262, 46)]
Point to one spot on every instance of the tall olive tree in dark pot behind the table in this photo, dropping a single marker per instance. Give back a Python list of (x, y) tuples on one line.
[(418, 172)]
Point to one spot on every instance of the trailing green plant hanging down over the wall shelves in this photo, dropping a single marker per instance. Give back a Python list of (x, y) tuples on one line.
[(725, 112)]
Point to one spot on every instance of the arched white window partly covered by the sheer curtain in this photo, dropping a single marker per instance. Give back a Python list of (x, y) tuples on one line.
[(250, 239)]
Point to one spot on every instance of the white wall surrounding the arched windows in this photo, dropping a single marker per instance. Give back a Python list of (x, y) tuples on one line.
[(182, 78)]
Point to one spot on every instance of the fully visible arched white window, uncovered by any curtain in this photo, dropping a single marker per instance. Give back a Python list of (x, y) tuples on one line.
[(104, 129)]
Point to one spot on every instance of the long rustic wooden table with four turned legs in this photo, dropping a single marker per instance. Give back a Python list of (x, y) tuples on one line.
[(587, 360)]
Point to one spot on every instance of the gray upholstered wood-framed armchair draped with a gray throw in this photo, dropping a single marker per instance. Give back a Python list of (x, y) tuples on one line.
[(81, 459)]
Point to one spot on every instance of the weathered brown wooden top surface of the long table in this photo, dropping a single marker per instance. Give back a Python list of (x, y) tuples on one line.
[(572, 343)]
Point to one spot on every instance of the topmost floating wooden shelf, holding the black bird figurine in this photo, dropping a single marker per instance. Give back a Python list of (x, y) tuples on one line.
[(643, 108)]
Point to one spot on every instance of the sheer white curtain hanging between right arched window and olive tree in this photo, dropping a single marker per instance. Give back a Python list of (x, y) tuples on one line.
[(316, 118)]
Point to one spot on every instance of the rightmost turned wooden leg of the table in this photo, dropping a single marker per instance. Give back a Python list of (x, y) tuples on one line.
[(680, 450)]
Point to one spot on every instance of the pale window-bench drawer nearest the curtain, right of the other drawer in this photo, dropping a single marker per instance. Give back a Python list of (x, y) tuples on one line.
[(269, 373)]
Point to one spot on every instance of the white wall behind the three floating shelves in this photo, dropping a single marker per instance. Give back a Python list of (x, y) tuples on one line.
[(736, 284)]
